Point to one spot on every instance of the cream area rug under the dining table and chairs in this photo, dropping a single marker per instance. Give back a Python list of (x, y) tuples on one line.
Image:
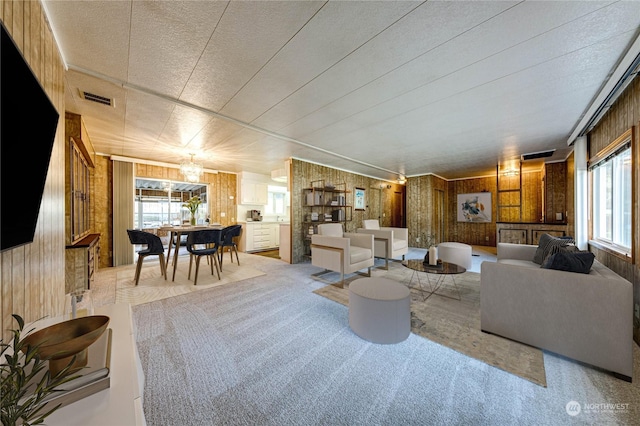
[(152, 286)]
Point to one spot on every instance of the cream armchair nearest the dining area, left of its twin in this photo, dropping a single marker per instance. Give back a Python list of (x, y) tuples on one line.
[(339, 251)]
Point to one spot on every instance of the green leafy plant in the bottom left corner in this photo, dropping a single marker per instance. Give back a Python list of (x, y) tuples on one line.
[(24, 393)]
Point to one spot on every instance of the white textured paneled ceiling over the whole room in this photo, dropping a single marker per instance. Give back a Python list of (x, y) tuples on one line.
[(377, 88)]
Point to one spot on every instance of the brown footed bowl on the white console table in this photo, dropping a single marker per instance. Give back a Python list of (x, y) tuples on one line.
[(60, 342)]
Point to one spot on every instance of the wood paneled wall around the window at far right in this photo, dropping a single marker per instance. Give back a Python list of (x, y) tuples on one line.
[(622, 115)]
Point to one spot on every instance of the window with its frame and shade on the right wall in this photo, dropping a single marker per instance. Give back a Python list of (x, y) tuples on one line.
[(608, 174)]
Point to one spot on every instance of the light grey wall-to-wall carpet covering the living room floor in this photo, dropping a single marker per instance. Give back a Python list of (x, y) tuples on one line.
[(266, 350)]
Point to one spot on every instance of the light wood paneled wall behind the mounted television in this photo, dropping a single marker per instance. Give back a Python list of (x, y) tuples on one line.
[(32, 279)]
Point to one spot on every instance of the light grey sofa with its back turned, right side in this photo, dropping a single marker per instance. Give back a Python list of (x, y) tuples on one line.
[(586, 317)]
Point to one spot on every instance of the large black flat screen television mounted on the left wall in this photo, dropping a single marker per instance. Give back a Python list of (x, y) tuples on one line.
[(28, 123)]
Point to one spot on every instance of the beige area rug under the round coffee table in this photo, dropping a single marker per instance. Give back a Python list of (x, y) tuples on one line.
[(456, 323)]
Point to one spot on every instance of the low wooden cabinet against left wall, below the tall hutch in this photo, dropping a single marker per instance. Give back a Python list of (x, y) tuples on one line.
[(82, 259)]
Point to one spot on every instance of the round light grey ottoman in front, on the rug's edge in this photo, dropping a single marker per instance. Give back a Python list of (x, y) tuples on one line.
[(379, 310)]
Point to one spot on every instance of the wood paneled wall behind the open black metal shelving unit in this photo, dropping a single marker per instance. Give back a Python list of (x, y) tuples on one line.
[(379, 199)]
